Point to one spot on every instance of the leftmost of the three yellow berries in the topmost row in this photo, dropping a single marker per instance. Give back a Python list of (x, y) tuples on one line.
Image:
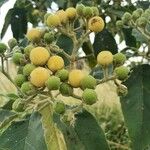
[(53, 21)]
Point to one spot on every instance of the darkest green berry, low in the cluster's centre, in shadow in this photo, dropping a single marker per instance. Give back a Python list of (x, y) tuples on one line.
[(65, 89)]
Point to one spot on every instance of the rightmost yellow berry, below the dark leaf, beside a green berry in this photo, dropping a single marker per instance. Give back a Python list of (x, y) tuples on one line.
[(104, 58)]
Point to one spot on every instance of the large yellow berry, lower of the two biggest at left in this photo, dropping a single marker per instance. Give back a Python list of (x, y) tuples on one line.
[(39, 76)]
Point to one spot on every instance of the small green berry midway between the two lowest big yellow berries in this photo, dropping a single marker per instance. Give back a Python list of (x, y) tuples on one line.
[(62, 74)]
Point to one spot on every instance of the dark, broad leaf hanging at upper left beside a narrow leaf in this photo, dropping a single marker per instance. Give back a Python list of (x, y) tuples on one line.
[(19, 23)]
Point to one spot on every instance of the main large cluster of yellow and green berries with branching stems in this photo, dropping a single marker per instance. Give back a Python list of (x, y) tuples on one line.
[(42, 69)]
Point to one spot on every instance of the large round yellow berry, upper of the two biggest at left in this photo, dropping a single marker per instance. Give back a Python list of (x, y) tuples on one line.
[(39, 55)]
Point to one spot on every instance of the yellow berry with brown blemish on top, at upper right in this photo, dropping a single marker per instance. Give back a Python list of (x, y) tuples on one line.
[(96, 24)]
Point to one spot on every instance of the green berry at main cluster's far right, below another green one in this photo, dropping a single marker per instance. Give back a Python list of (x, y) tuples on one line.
[(121, 72)]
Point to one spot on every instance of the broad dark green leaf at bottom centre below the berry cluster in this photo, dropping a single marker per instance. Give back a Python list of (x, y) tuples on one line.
[(85, 135)]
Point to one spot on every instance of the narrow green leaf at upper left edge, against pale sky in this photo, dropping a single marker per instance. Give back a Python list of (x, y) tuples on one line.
[(7, 22)]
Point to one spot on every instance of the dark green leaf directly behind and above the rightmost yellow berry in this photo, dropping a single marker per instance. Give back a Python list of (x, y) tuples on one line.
[(104, 41)]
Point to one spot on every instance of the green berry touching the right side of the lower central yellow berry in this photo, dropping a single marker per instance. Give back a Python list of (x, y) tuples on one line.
[(88, 82)]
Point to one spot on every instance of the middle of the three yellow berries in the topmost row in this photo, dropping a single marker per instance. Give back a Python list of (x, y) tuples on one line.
[(62, 16)]
